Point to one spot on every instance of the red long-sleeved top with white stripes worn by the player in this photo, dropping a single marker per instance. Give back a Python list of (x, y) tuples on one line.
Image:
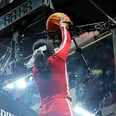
[(57, 85)]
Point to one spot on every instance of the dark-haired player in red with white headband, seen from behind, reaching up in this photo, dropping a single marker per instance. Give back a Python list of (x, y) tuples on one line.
[(50, 73)]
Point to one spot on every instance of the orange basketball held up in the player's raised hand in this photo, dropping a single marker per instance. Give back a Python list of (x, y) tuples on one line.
[(53, 20)]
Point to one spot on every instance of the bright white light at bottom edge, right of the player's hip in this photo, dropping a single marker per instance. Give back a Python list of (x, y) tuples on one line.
[(80, 111)]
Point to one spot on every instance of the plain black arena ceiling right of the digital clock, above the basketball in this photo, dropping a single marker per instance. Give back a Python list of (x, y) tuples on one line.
[(84, 12)]
